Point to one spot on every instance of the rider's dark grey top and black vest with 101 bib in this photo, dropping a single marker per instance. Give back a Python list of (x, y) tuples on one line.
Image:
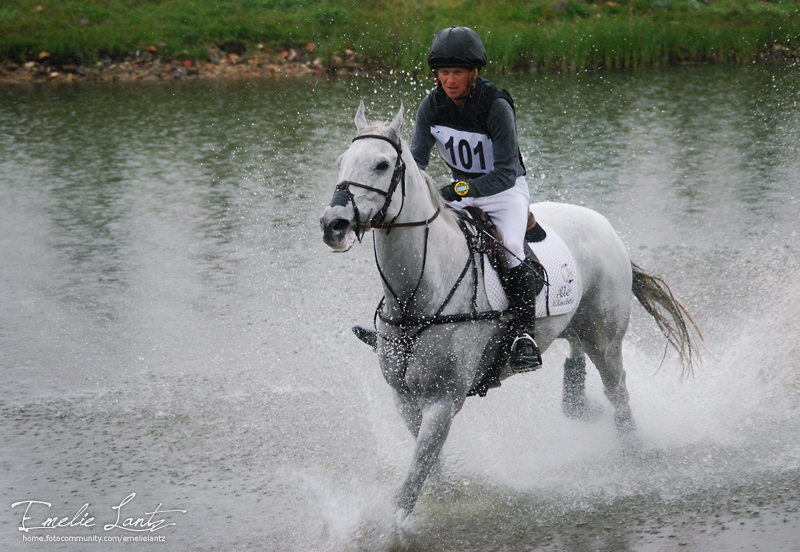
[(477, 141)]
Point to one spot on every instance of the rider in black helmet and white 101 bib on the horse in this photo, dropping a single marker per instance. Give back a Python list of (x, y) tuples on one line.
[(472, 122)]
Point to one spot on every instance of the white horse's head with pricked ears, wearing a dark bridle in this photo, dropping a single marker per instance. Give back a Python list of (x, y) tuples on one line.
[(370, 172)]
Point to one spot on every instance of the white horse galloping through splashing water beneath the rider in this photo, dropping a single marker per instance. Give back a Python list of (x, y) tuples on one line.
[(437, 333)]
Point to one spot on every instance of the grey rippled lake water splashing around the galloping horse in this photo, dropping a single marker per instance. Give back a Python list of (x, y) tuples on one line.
[(171, 324)]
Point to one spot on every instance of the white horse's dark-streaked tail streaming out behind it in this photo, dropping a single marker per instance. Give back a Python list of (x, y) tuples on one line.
[(671, 316)]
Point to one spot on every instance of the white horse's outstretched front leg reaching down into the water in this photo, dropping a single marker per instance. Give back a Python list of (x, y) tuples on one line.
[(434, 425)]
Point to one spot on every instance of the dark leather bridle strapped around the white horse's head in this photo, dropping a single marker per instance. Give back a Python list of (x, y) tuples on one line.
[(398, 178)]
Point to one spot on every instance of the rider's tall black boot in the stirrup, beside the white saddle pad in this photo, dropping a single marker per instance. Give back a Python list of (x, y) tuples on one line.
[(520, 286)]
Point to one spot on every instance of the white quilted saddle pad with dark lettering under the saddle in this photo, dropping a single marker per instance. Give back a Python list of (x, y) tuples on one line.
[(557, 260)]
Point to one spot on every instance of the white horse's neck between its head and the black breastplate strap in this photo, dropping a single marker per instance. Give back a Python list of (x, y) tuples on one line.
[(420, 261)]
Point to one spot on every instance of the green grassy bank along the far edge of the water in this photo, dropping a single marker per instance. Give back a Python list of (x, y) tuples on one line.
[(519, 34)]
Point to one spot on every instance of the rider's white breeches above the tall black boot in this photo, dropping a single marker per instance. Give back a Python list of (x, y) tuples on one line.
[(509, 212)]
